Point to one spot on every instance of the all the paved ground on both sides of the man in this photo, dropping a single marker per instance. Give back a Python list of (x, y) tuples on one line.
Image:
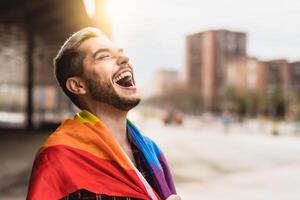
[(208, 163)]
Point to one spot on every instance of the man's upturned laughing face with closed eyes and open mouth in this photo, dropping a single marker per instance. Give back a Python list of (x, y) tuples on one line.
[(108, 74)]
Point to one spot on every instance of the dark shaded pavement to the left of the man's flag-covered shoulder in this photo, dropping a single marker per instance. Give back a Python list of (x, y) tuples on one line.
[(17, 151)]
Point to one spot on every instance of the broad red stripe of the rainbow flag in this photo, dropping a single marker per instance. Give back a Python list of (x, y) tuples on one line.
[(60, 170)]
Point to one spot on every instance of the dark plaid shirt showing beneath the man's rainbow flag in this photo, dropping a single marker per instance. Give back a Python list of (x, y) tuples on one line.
[(141, 165)]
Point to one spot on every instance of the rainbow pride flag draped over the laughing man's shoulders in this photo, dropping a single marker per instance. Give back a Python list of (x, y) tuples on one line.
[(82, 154)]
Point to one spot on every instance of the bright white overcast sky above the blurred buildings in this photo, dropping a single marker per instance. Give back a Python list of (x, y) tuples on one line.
[(153, 32)]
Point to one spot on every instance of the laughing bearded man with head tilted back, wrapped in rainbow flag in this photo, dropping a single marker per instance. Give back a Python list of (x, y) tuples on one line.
[(98, 154)]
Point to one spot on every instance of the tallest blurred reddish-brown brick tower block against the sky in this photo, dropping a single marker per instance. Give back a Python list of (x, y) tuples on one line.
[(206, 55)]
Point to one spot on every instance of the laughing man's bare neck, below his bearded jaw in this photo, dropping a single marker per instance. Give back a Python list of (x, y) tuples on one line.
[(113, 118)]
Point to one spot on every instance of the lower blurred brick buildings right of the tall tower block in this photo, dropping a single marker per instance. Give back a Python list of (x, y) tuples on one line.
[(250, 74)]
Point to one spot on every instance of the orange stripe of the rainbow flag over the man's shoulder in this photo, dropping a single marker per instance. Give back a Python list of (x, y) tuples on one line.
[(94, 139)]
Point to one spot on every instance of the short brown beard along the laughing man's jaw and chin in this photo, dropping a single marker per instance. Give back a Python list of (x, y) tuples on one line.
[(104, 92)]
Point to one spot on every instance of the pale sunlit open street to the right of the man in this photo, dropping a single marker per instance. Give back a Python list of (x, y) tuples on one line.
[(210, 164)]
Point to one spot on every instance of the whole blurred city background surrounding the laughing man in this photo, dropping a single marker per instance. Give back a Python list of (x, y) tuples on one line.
[(220, 82)]
